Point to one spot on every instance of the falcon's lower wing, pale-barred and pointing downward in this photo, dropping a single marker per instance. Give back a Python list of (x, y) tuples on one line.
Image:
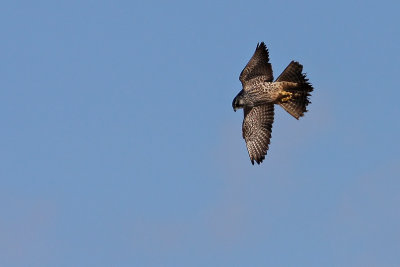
[(257, 128)]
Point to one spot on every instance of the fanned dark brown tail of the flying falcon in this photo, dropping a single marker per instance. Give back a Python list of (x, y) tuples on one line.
[(297, 105)]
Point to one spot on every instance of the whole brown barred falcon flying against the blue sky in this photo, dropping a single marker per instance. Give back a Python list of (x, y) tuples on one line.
[(260, 93)]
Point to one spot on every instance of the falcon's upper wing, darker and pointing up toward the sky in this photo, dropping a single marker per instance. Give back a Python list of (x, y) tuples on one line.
[(258, 66)]
